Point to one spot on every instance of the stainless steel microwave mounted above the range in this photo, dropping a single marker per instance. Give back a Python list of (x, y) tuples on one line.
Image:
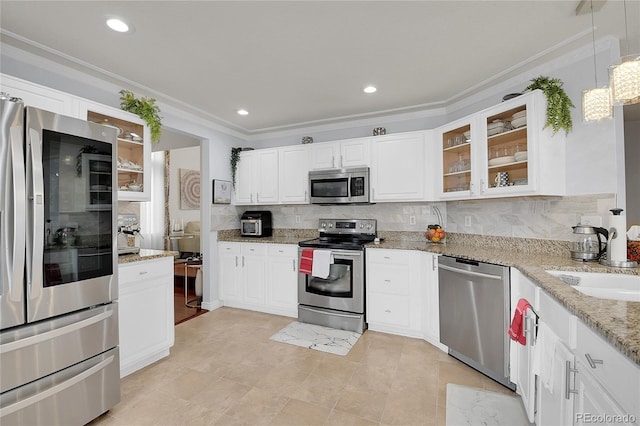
[(339, 186)]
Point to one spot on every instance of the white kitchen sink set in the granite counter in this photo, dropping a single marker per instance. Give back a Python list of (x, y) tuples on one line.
[(604, 286)]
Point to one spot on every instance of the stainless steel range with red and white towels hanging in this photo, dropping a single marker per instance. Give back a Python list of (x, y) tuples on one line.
[(335, 296)]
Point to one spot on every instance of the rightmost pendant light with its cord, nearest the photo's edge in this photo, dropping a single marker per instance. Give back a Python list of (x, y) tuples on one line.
[(625, 76)]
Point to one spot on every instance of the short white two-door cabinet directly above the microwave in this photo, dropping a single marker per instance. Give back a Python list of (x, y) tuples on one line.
[(340, 154)]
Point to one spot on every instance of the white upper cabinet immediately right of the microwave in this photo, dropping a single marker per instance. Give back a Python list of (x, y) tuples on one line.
[(399, 167)]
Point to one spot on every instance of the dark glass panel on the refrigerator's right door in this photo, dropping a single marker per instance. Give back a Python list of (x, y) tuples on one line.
[(78, 241)]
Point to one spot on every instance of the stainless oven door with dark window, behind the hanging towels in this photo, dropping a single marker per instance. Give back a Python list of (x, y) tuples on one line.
[(342, 290)]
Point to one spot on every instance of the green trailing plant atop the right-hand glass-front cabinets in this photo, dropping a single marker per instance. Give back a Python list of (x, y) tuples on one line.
[(558, 103)]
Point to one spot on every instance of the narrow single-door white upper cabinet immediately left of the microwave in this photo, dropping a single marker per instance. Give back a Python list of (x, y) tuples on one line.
[(293, 174)]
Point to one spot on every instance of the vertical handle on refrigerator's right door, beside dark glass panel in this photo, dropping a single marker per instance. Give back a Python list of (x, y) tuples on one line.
[(35, 244)]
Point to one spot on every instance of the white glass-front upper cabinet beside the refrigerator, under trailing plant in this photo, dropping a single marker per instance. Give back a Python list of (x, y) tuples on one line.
[(133, 151)]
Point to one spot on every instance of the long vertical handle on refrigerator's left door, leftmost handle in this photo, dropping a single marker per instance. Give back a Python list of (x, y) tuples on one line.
[(16, 258)]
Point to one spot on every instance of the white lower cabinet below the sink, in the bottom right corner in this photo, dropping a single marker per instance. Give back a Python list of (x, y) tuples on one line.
[(587, 381)]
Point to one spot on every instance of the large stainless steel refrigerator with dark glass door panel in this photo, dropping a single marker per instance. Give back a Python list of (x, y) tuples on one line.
[(59, 361)]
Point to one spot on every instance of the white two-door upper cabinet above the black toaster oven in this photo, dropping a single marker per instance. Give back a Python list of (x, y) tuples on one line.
[(257, 177)]
